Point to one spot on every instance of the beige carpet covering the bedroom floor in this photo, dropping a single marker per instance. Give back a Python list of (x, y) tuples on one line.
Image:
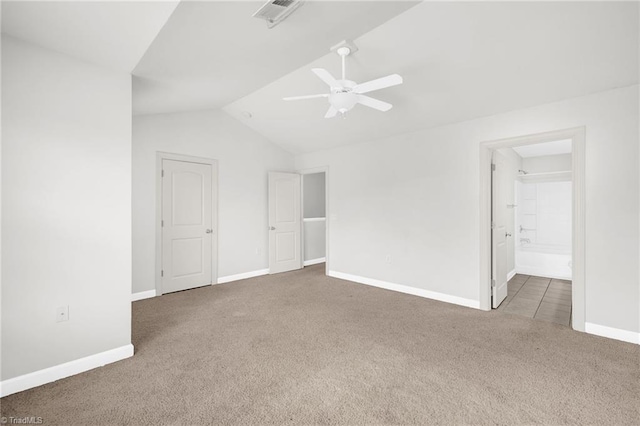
[(301, 348)]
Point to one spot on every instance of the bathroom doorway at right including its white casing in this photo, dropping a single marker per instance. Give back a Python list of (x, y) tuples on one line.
[(532, 232)]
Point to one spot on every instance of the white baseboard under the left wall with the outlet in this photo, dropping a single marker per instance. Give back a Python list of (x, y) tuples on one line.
[(51, 374)]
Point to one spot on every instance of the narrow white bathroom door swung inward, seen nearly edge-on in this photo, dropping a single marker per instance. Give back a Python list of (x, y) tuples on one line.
[(499, 271)]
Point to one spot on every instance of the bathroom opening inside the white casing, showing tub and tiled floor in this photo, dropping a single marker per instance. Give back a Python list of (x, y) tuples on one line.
[(536, 204)]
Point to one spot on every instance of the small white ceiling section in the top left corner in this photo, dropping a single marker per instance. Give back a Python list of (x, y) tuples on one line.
[(108, 33)]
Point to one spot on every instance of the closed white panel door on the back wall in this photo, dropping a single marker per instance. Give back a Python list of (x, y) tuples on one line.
[(187, 230)]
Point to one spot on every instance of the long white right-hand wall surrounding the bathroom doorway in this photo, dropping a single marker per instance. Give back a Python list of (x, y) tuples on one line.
[(415, 198)]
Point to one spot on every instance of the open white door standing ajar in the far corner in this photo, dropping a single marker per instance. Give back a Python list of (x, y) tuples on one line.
[(284, 222)]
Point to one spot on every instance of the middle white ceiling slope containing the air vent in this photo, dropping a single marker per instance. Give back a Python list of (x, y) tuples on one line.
[(212, 53)]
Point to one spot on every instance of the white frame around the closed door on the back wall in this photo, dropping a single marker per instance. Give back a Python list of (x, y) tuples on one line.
[(160, 156)]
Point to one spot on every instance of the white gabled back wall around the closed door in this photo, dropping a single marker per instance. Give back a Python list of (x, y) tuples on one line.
[(244, 159)]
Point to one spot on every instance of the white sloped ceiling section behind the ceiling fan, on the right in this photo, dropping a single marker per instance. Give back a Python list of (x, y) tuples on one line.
[(459, 61)]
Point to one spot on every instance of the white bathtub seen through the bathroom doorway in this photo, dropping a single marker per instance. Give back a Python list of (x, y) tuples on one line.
[(551, 261)]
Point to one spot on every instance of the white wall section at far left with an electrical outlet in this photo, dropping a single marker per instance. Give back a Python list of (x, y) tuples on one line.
[(66, 213)]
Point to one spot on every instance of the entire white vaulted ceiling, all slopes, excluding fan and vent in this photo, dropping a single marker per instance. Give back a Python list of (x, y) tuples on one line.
[(459, 60)]
